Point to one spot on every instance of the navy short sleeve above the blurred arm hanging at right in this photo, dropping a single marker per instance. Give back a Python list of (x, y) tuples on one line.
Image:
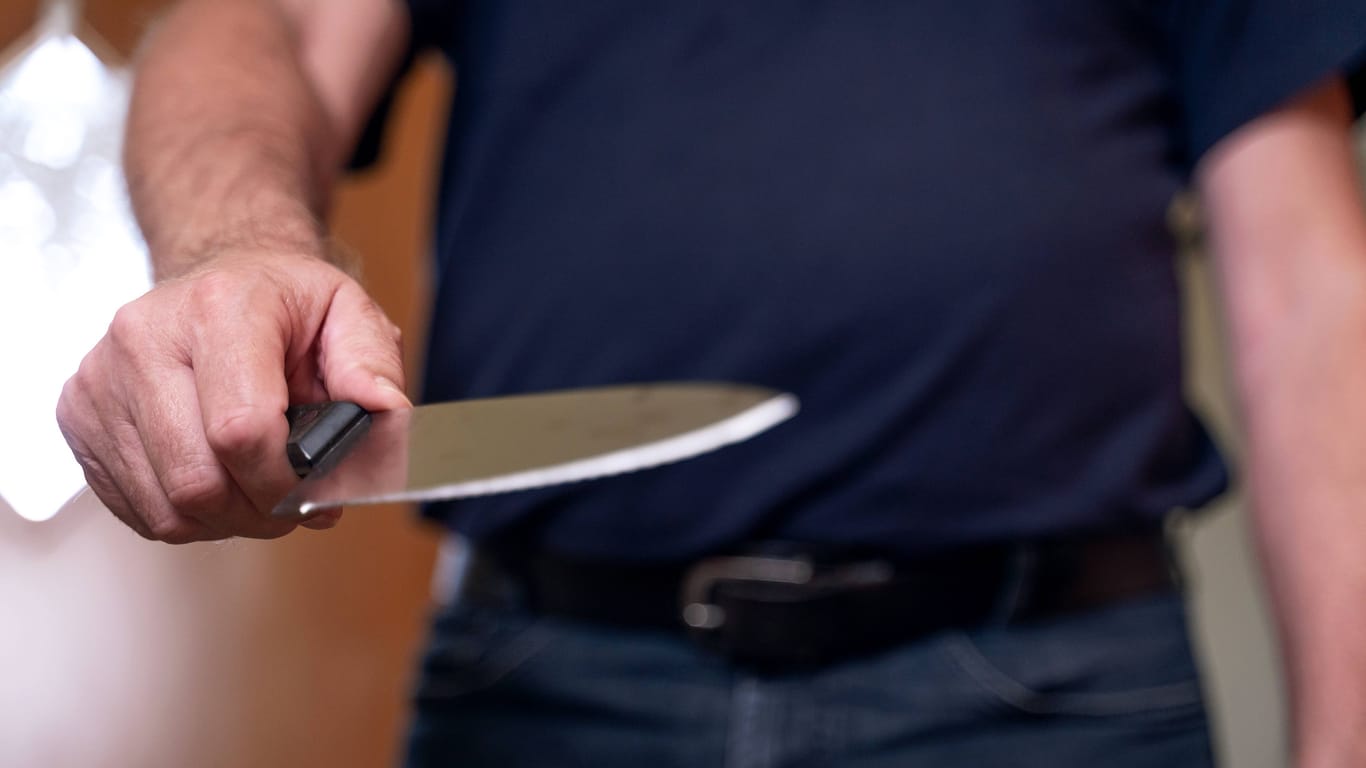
[(1238, 59)]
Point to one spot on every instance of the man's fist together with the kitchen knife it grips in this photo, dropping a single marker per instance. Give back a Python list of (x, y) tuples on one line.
[(176, 415)]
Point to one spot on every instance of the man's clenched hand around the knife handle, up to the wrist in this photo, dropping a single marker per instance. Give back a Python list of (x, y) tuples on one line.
[(178, 413)]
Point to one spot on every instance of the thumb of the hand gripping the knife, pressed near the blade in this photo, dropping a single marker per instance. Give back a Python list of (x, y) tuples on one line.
[(359, 353)]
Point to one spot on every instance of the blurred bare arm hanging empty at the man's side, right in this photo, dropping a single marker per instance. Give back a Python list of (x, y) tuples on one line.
[(1289, 228)]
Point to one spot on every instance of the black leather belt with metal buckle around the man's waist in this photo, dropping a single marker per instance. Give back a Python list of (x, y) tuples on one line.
[(786, 606)]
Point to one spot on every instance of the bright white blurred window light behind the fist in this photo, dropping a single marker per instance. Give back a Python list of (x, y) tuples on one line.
[(70, 253)]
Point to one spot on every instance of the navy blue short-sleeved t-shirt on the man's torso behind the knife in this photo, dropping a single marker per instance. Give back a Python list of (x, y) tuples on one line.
[(939, 223)]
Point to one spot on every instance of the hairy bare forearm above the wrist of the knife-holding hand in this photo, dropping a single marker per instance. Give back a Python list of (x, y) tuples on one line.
[(233, 141)]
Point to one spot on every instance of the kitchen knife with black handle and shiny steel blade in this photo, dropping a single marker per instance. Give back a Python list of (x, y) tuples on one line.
[(349, 457)]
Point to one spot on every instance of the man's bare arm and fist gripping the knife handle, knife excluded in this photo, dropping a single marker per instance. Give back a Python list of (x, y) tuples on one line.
[(241, 118)]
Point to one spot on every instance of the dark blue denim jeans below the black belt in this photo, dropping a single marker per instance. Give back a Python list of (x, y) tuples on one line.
[(1114, 688)]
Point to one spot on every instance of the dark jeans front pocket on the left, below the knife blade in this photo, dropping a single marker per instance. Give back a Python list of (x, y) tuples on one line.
[(476, 648)]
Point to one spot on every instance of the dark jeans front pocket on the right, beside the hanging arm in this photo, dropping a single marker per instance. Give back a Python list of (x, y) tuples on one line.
[(1132, 659)]
